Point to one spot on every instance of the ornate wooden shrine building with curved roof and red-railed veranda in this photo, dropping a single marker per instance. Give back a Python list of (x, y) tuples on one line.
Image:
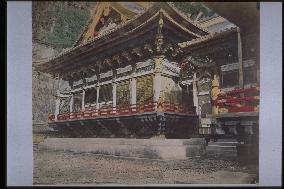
[(124, 73)]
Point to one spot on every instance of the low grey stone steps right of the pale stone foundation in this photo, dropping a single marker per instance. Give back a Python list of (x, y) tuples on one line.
[(222, 148)]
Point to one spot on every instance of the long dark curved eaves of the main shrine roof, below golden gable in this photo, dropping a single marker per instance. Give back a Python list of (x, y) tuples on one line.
[(174, 20)]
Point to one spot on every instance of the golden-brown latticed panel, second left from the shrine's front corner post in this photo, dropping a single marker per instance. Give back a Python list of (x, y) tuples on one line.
[(123, 93)]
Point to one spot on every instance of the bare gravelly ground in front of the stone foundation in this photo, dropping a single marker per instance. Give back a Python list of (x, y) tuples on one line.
[(58, 167)]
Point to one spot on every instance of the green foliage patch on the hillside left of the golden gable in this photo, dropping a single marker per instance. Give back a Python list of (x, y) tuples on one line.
[(68, 26)]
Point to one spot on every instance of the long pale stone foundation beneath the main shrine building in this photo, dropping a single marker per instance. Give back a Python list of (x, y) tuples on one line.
[(165, 149)]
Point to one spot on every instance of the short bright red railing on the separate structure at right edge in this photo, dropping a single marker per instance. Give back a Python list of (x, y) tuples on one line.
[(239, 100)]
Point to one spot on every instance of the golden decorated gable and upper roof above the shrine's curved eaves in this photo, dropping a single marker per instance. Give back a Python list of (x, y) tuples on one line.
[(123, 12)]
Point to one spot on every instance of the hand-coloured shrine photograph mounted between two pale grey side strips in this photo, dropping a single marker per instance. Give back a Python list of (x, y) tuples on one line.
[(144, 93)]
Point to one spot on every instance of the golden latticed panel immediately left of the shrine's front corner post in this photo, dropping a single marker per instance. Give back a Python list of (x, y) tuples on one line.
[(144, 91)]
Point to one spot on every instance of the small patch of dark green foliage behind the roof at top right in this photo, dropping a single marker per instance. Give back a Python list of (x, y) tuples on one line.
[(193, 8)]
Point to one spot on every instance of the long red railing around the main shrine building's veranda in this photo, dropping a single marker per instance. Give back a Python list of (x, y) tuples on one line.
[(127, 109)]
